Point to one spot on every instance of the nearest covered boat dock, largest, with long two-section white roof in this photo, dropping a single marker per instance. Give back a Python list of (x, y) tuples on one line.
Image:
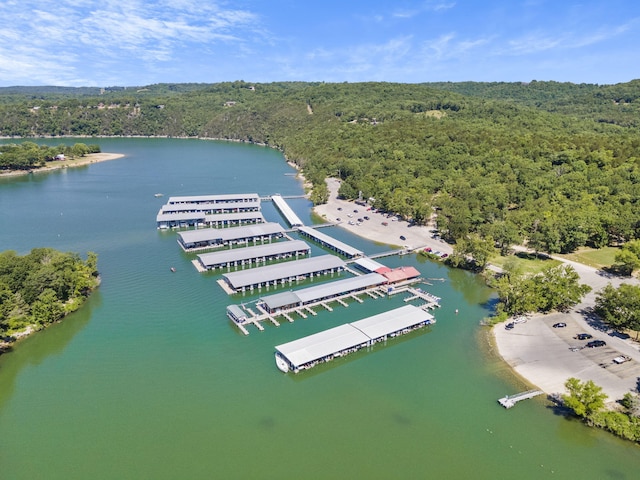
[(324, 346)]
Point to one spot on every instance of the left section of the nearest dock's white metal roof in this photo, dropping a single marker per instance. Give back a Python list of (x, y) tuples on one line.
[(321, 344)]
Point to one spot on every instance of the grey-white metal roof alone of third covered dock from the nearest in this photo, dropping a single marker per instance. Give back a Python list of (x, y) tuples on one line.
[(282, 270)]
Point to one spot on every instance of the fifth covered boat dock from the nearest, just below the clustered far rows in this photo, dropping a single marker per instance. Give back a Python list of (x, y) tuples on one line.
[(216, 237)]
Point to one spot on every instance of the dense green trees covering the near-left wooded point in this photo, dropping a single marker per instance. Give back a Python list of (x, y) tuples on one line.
[(43, 286)]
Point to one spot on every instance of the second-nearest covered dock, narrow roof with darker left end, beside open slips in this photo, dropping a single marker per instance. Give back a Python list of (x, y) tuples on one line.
[(318, 293)]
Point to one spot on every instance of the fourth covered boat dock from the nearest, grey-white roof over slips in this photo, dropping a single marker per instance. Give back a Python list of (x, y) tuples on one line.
[(250, 255)]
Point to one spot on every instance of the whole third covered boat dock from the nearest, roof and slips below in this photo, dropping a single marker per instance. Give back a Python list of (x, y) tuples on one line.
[(281, 273)]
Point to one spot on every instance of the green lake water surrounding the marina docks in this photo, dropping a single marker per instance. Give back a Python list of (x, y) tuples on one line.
[(150, 380)]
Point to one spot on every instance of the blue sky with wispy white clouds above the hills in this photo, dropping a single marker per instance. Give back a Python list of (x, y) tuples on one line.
[(140, 42)]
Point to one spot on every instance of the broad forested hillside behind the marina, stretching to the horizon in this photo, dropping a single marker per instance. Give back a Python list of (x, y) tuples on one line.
[(556, 164)]
